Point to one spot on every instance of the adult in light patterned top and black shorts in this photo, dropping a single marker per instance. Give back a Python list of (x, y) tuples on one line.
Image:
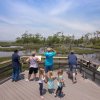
[(33, 67)]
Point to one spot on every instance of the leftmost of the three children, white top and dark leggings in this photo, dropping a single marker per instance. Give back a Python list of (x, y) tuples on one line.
[(41, 80)]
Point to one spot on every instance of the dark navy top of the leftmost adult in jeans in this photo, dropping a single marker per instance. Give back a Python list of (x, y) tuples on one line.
[(15, 60)]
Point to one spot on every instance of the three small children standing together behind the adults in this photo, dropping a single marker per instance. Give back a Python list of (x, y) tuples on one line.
[(49, 79)]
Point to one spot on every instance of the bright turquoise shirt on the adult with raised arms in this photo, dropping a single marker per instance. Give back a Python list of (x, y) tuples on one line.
[(49, 58)]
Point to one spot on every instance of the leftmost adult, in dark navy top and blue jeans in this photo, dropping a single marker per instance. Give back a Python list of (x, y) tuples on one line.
[(16, 66)]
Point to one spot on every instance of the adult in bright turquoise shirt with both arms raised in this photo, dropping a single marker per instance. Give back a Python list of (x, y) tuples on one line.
[(49, 54)]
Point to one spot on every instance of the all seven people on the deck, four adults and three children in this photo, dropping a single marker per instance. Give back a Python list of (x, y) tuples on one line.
[(46, 73)]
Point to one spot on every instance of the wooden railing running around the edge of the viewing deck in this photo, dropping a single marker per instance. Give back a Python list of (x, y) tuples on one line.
[(60, 62)]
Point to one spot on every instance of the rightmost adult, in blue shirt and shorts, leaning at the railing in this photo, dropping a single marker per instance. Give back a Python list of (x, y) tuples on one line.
[(72, 61)]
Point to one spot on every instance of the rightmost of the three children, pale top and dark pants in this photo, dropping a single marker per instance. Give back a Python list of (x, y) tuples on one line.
[(60, 83)]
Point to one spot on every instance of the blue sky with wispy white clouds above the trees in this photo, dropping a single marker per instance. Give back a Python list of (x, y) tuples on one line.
[(47, 17)]
